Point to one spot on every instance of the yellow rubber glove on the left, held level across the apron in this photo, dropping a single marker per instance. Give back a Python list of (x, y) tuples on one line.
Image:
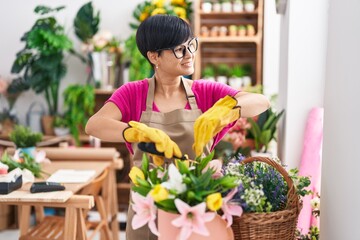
[(139, 132)]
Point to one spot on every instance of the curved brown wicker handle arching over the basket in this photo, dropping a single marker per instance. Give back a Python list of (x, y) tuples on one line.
[(292, 197)]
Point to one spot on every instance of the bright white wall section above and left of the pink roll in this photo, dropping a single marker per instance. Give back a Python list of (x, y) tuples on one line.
[(302, 71)]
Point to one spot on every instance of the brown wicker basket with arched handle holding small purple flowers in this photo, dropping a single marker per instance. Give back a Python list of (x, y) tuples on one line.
[(279, 225)]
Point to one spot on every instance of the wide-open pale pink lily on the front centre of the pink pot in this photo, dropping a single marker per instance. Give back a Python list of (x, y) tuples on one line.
[(192, 219)]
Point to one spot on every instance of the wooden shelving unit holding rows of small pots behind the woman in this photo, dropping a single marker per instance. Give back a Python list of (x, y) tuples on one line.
[(230, 50)]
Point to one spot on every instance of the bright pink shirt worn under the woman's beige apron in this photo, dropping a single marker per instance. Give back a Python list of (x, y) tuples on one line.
[(131, 100)]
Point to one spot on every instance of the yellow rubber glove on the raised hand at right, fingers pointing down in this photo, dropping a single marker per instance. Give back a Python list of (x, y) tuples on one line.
[(213, 121)]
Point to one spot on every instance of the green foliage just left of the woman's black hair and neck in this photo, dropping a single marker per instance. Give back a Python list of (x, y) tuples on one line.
[(139, 68)]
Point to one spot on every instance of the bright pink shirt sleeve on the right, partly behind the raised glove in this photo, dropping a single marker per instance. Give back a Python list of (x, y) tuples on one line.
[(207, 93)]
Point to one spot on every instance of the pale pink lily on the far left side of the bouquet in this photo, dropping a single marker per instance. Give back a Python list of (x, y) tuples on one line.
[(145, 212)]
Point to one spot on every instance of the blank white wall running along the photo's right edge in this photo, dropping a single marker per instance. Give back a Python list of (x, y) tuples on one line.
[(340, 195)]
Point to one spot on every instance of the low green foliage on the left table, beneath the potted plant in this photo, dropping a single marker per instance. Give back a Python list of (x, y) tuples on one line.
[(25, 162)]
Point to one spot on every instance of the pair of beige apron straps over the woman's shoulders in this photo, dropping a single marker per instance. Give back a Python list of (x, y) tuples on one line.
[(151, 91)]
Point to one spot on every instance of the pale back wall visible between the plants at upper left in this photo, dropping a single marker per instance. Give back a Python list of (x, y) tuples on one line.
[(17, 17)]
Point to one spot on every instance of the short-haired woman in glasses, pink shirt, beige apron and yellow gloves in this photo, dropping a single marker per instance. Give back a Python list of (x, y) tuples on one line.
[(164, 108)]
